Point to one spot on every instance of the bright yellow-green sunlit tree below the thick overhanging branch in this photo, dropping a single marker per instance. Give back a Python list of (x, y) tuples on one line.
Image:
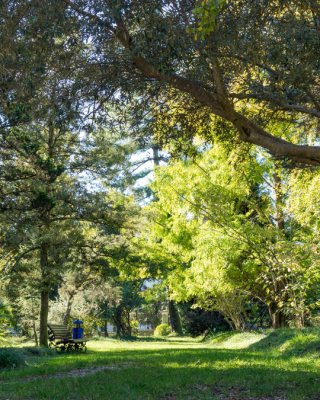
[(219, 216)]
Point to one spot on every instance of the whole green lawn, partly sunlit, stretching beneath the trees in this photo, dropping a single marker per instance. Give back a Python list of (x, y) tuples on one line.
[(282, 364)]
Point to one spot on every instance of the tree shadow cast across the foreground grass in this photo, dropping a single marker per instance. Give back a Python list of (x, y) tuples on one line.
[(166, 373)]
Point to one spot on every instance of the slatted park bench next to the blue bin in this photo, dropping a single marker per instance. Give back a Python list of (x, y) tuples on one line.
[(60, 338)]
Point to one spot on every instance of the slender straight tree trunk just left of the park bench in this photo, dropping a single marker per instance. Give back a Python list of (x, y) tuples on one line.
[(44, 299)]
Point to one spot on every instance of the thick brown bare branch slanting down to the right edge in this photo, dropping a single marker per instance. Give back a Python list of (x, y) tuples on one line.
[(247, 130)]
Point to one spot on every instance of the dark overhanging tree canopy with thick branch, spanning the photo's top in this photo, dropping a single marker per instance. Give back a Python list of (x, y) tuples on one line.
[(246, 63)]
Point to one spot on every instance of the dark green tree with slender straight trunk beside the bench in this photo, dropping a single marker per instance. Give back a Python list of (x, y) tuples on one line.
[(46, 199)]
